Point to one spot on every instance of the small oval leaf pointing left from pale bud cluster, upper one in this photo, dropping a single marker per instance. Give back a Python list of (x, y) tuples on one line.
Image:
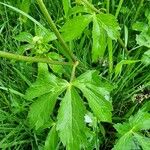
[(24, 37)]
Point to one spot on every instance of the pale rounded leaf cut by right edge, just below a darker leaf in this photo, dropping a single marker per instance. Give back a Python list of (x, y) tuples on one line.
[(143, 39)]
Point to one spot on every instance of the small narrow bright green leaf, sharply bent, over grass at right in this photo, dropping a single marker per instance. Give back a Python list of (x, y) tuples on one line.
[(118, 67)]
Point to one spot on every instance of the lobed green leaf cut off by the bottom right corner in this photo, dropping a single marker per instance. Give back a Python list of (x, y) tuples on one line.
[(128, 136)]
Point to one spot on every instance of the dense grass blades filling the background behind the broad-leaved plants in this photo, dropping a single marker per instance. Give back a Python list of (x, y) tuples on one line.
[(16, 77)]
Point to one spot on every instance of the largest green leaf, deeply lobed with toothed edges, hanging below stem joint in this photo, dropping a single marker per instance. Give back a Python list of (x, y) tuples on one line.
[(71, 127)]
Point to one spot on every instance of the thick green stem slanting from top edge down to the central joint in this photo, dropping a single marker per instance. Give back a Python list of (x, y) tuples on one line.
[(55, 30)]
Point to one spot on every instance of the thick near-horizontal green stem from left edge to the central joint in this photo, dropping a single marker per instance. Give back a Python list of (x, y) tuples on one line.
[(31, 59)]
